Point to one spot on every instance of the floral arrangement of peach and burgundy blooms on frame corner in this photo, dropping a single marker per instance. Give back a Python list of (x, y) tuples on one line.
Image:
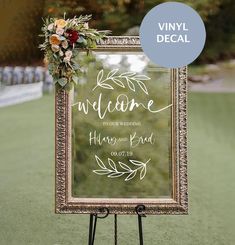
[(64, 38)]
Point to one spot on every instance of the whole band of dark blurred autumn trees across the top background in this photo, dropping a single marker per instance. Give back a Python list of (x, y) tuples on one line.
[(19, 29)]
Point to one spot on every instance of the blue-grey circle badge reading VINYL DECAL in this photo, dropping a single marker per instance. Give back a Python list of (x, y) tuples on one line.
[(172, 34)]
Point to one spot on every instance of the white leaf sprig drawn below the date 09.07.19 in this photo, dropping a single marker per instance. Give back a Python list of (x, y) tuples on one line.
[(113, 170)]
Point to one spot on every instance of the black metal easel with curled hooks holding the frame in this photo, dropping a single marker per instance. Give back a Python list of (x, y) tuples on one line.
[(140, 211)]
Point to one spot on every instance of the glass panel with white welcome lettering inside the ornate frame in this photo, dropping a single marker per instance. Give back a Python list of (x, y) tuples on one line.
[(121, 128)]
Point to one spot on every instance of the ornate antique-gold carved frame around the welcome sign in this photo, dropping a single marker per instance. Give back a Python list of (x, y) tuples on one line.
[(178, 204)]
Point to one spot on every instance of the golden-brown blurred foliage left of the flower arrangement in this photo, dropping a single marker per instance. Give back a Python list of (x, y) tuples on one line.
[(20, 23)]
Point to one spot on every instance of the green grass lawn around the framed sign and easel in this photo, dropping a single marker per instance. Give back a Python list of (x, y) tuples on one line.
[(27, 182)]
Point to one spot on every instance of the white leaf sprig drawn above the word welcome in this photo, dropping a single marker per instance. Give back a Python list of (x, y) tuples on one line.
[(129, 79)]
